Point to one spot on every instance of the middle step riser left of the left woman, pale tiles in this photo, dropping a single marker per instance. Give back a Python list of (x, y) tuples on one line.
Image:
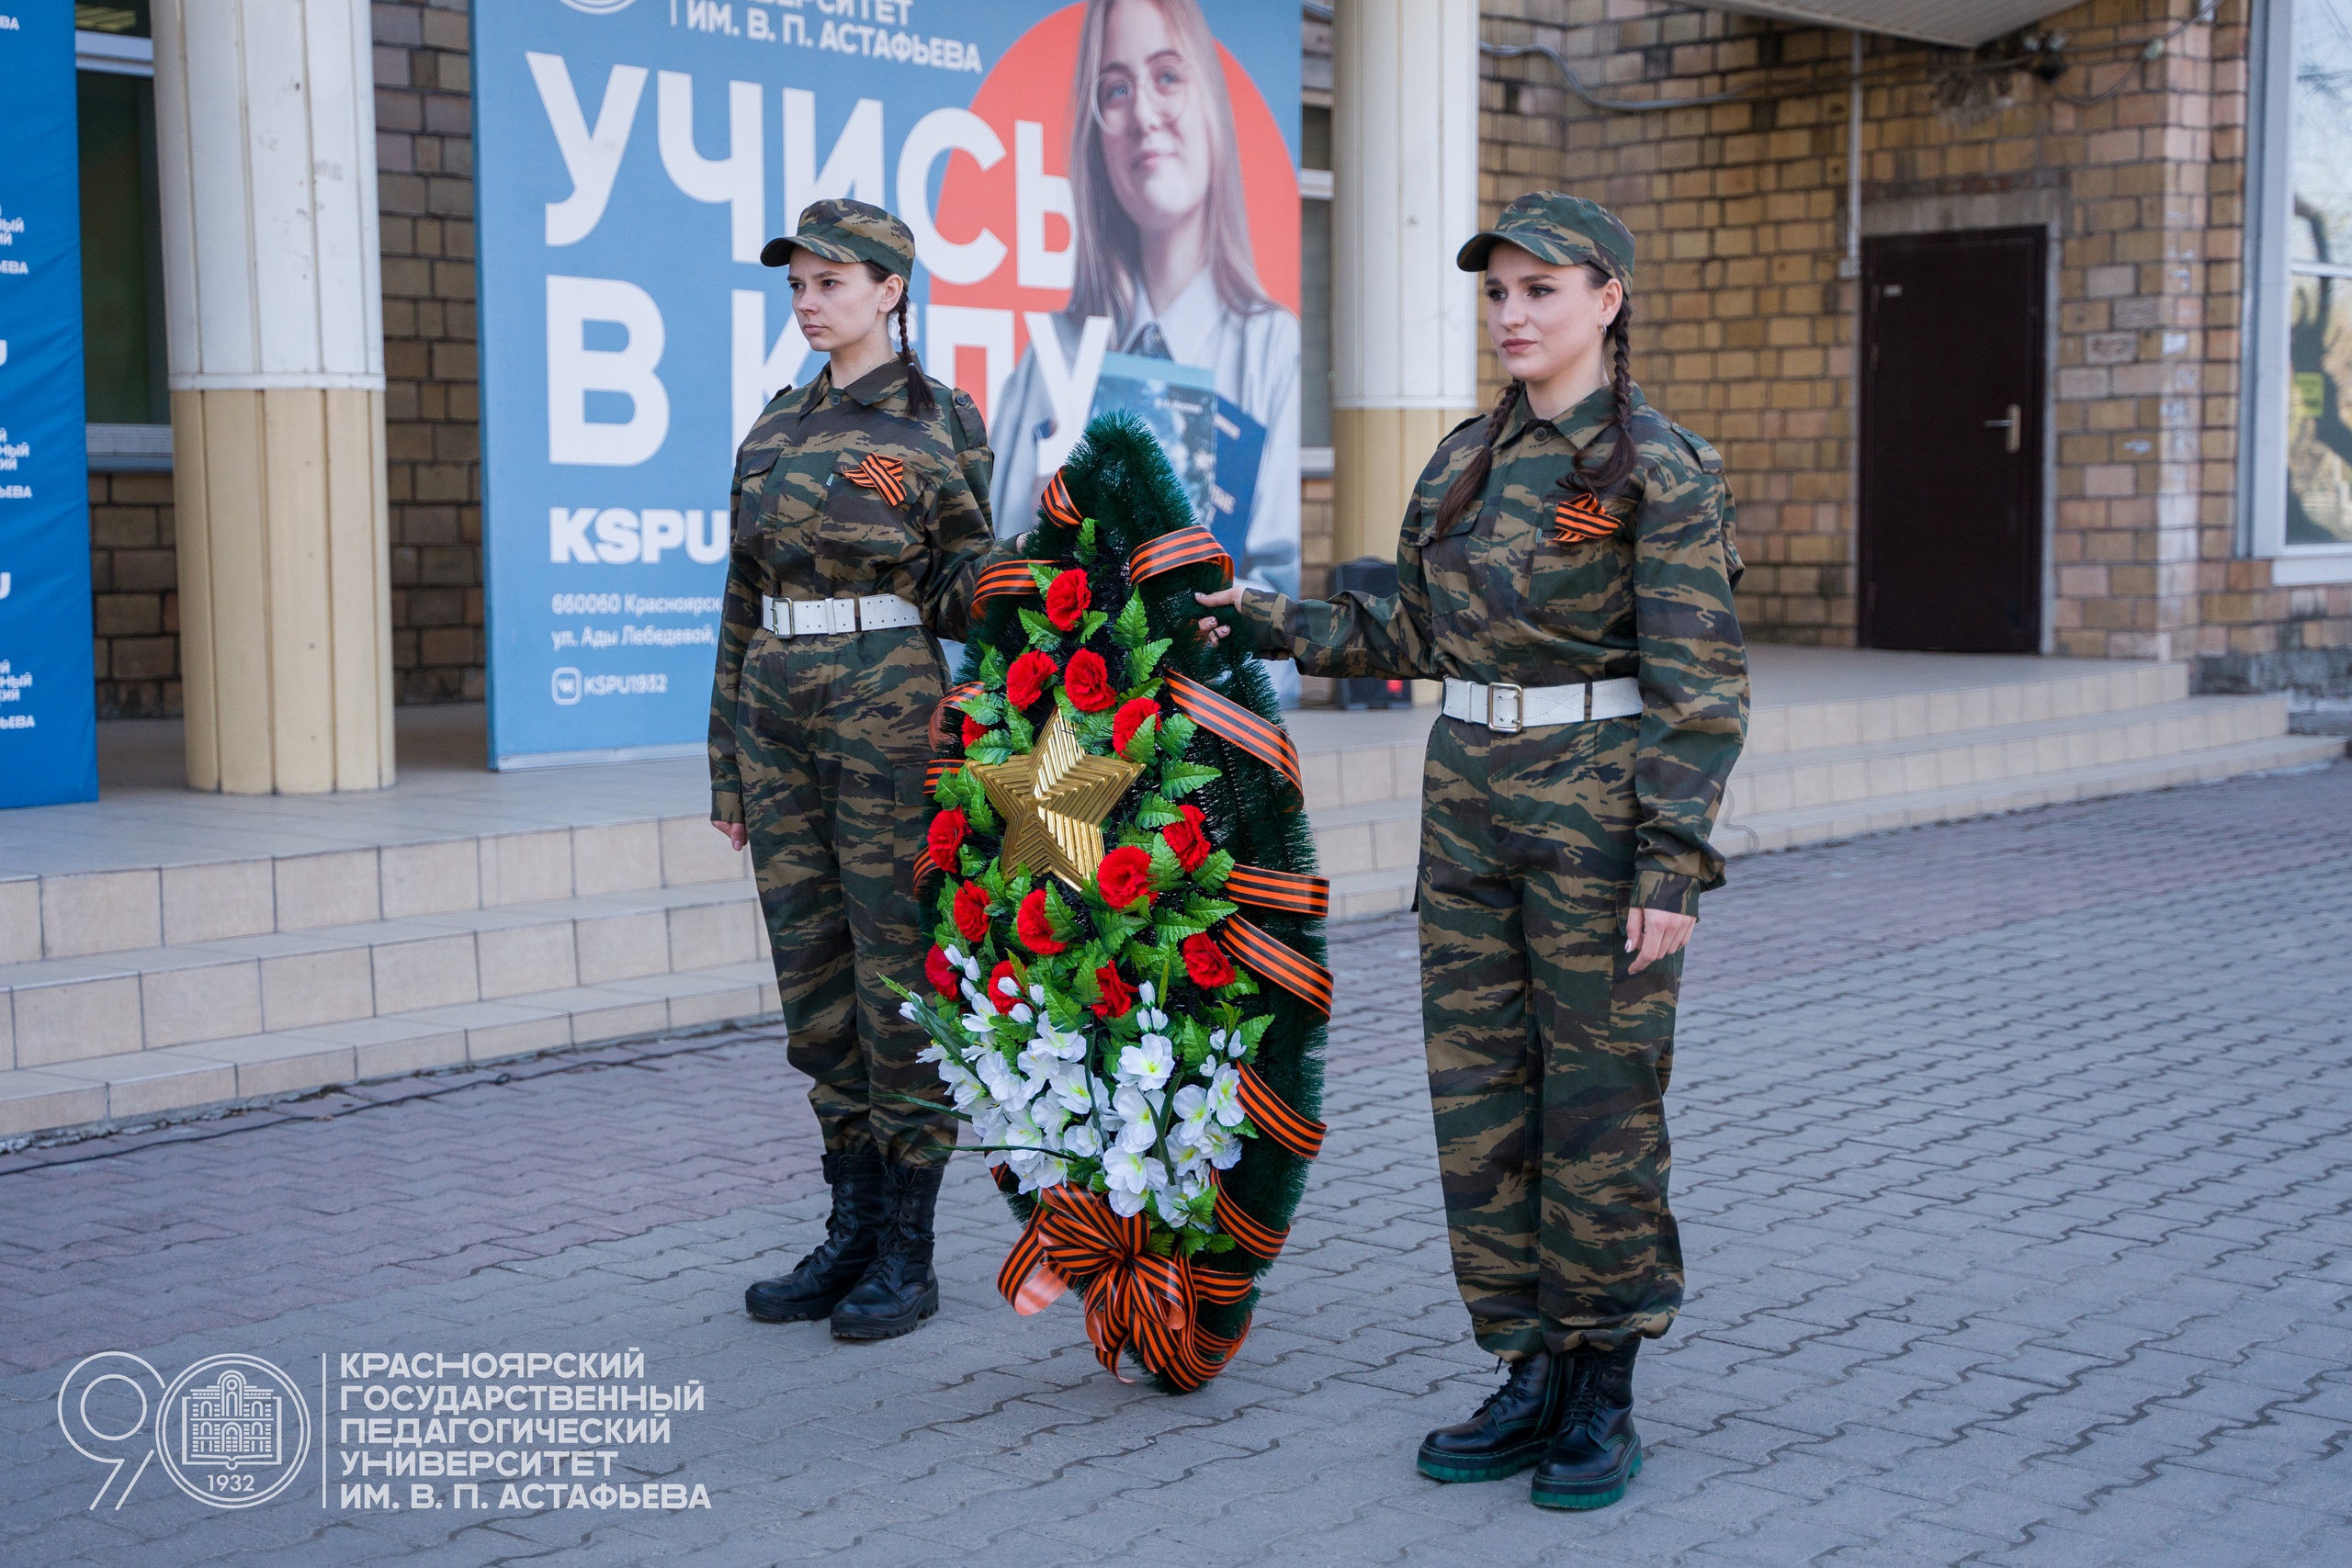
[(163, 998)]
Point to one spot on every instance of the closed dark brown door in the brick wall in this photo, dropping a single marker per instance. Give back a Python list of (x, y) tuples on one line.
[(1951, 462)]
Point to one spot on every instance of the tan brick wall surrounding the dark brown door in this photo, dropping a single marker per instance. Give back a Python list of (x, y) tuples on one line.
[(1746, 330)]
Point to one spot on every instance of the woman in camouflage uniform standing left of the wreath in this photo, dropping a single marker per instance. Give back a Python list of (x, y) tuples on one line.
[(860, 532)]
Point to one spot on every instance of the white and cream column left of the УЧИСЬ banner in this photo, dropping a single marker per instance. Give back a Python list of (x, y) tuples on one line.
[(267, 147)]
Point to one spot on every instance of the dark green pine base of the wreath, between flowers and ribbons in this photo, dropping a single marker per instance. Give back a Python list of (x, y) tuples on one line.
[(1123, 485)]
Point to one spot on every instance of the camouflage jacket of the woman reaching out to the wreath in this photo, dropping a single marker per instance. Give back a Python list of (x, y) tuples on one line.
[(1504, 601)]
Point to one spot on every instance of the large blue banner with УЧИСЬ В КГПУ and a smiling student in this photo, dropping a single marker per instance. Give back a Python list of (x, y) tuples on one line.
[(1107, 213)]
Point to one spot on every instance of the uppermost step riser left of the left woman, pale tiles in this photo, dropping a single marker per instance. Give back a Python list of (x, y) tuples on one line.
[(211, 899)]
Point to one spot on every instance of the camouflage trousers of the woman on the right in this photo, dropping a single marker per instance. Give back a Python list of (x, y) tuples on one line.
[(1549, 1061)]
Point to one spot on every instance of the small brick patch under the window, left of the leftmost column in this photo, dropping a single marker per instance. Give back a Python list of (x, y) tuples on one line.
[(135, 596)]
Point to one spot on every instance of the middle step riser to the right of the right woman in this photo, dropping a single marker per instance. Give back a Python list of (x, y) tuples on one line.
[(1991, 756)]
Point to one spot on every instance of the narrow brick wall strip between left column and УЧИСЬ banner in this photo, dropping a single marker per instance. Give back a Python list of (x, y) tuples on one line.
[(434, 408)]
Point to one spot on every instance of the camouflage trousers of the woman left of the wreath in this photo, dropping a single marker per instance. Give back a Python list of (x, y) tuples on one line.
[(834, 744)]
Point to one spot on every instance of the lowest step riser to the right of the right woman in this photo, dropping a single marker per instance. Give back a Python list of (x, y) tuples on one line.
[(1758, 833)]
